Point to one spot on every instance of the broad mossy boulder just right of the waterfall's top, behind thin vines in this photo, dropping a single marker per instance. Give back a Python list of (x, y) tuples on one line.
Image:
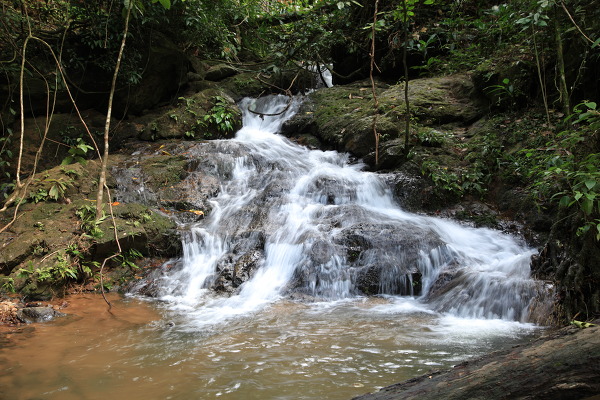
[(341, 117)]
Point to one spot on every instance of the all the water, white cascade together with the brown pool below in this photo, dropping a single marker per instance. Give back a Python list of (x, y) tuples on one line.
[(294, 240)]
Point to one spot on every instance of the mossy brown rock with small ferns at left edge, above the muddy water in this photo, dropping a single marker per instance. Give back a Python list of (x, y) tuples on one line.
[(54, 239)]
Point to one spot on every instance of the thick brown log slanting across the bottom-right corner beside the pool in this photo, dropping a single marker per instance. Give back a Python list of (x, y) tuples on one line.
[(563, 364)]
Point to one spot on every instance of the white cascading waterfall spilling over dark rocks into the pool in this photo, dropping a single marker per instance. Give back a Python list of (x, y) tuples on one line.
[(289, 221)]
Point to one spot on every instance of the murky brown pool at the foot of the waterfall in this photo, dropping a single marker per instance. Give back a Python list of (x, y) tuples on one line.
[(289, 350)]
